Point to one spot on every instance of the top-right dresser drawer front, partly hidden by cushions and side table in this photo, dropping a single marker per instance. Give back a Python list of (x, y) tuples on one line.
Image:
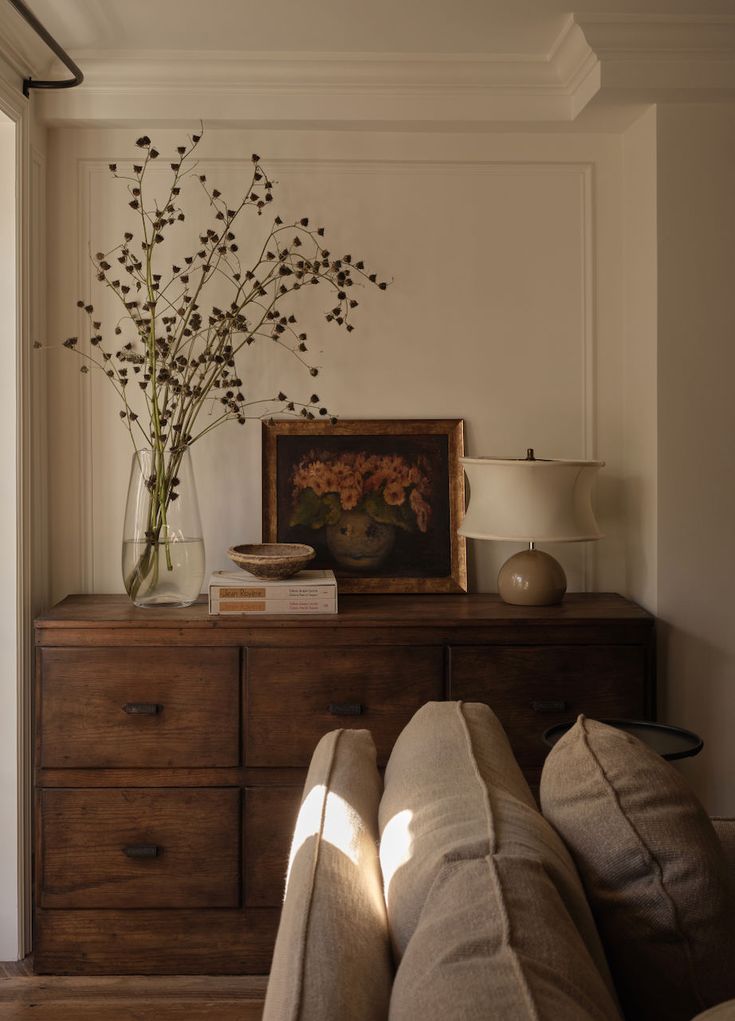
[(533, 689)]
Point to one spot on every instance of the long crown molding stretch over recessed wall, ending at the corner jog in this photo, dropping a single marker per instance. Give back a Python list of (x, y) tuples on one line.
[(376, 88)]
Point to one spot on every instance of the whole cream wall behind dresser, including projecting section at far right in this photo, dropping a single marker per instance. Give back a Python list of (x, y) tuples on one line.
[(568, 291)]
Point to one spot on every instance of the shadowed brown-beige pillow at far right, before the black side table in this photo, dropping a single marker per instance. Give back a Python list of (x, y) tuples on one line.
[(654, 869)]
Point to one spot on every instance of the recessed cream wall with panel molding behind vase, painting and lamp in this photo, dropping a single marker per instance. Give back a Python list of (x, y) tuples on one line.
[(506, 311)]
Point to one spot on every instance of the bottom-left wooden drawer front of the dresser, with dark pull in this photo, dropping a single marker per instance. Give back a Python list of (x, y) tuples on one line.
[(140, 849)]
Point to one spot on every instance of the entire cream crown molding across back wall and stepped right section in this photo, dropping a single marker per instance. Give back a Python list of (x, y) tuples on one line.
[(596, 60)]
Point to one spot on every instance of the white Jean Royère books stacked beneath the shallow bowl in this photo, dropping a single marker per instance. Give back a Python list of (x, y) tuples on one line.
[(233, 593)]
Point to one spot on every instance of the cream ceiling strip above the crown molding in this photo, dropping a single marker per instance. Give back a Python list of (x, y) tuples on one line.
[(515, 28)]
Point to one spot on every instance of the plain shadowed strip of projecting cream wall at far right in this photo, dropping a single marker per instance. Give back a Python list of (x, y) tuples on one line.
[(697, 425)]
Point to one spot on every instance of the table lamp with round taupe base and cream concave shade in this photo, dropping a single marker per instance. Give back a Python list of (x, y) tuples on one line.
[(531, 501)]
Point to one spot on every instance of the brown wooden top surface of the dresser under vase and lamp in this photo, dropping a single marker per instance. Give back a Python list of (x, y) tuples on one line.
[(456, 610)]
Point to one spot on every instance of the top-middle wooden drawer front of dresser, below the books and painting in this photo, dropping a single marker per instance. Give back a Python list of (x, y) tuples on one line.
[(297, 696)]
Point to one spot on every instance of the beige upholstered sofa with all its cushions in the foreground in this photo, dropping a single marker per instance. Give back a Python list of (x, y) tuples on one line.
[(445, 895)]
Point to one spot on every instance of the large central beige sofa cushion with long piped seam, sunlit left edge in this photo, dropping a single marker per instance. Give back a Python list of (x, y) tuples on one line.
[(486, 911)]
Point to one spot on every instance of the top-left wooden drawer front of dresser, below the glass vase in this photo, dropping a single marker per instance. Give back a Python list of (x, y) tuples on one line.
[(140, 708)]
